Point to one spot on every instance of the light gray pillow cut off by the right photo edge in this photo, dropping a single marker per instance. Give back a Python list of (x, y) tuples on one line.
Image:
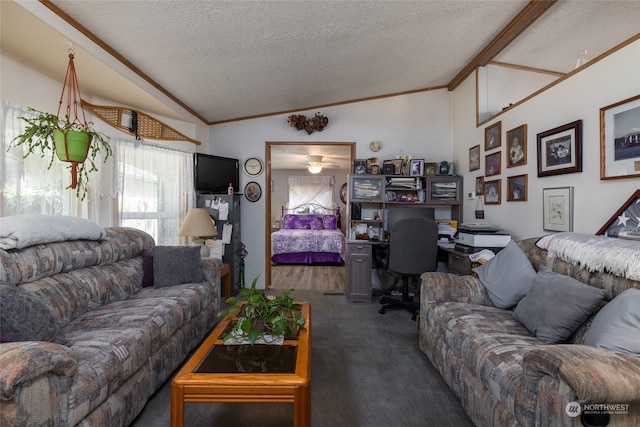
[(617, 326)]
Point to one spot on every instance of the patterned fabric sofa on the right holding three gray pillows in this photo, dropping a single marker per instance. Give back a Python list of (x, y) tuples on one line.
[(504, 375)]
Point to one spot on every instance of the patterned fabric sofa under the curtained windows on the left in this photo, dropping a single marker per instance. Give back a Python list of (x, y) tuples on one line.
[(119, 340)]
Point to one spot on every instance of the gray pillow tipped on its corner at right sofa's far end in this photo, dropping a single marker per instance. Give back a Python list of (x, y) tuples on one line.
[(507, 276)]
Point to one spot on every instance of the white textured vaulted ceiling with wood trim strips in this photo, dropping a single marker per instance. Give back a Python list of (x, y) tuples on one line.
[(224, 60)]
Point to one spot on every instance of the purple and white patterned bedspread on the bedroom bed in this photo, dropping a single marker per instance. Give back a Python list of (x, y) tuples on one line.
[(307, 246)]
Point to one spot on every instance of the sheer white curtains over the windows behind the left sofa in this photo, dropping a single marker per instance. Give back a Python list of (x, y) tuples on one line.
[(143, 186)]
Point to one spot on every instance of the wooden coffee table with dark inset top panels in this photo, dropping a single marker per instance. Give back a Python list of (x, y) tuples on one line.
[(205, 378)]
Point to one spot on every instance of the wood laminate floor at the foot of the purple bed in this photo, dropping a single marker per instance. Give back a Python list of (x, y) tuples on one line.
[(316, 277)]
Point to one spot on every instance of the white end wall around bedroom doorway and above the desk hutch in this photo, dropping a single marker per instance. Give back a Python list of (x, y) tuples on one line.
[(417, 124)]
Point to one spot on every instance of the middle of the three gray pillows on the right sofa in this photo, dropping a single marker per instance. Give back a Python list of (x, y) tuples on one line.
[(556, 306)]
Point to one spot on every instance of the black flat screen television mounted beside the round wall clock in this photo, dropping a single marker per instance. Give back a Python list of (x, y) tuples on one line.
[(214, 173)]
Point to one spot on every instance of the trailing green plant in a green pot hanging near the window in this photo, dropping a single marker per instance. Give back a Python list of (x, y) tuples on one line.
[(48, 135)]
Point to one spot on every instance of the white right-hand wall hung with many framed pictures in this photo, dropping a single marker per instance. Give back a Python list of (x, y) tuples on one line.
[(579, 97)]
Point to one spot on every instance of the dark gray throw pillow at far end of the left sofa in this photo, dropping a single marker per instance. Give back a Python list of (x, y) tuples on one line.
[(173, 265)]
